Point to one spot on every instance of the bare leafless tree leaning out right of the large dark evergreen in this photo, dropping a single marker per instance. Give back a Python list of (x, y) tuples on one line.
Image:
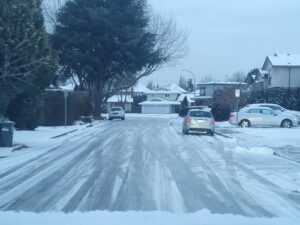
[(170, 43)]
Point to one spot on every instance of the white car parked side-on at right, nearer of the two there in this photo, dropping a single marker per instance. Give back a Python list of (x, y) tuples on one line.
[(262, 116)]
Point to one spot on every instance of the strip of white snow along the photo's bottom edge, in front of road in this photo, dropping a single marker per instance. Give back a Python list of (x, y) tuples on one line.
[(139, 218)]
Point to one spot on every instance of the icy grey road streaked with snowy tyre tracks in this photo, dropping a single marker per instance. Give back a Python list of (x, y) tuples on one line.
[(147, 164)]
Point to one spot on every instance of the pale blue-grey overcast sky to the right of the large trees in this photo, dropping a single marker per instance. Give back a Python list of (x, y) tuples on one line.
[(230, 35)]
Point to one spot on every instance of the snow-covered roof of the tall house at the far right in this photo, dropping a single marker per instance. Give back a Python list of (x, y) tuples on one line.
[(285, 59)]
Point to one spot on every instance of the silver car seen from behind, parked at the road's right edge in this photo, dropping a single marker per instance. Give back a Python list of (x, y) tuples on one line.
[(200, 121)]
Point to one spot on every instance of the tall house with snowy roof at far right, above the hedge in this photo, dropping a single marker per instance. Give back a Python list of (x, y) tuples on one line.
[(281, 70)]
